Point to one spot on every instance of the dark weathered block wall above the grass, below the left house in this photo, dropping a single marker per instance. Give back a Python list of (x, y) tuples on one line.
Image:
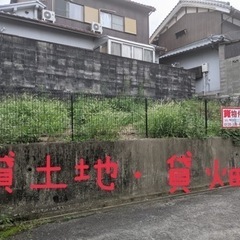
[(35, 64)]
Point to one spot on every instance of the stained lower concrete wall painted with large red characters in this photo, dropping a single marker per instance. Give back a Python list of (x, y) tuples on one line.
[(147, 156)]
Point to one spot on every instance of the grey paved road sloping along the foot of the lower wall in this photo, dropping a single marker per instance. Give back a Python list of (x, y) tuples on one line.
[(214, 215)]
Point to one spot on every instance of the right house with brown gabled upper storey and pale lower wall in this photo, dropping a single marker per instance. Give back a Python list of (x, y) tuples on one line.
[(193, 34)]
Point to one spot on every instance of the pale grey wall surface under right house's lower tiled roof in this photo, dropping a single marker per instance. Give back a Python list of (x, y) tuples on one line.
[(196, 59)]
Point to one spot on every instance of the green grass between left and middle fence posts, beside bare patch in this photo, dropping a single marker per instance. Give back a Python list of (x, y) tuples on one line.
[(104, 118)]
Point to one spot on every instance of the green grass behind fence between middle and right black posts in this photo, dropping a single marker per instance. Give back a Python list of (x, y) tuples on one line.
[(175, 119)]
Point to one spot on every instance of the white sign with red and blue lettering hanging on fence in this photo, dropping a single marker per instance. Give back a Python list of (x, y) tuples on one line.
[(230, 117)]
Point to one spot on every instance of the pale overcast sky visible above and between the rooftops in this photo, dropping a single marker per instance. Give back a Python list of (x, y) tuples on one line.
[(163, 7)]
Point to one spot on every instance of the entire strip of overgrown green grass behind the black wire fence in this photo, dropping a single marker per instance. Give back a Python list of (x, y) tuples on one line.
[(28, 118)]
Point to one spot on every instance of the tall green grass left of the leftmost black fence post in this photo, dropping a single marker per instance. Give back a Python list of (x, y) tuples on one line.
[(26, 118)]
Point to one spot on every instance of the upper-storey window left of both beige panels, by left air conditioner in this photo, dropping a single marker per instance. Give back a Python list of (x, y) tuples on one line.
[(69, 10)]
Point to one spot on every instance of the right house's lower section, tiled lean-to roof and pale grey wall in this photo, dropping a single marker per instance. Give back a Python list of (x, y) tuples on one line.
[(202, 57)]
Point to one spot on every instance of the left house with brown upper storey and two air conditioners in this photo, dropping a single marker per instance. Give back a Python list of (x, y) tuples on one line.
[(118, 27)]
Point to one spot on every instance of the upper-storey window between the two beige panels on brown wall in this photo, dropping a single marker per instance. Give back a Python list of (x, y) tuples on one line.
[(111, 21)]
